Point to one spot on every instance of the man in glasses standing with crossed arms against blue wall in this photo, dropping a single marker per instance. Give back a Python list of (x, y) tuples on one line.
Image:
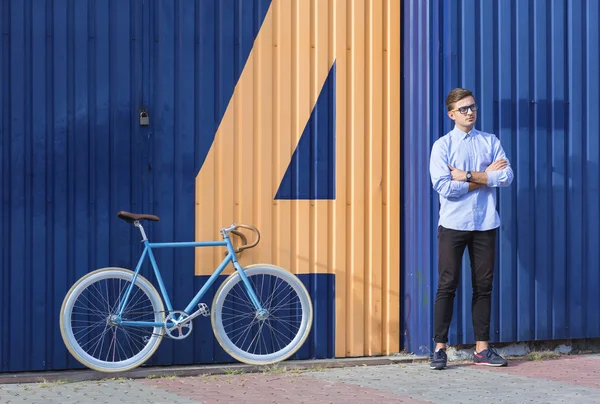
[(466, 166)]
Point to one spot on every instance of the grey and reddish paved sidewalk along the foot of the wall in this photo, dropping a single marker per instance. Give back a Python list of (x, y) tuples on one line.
[(570, 379)]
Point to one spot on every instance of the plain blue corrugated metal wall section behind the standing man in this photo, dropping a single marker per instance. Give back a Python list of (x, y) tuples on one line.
[(534, 68)]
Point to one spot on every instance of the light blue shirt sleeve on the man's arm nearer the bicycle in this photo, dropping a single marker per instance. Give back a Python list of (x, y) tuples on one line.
[(440, 174)]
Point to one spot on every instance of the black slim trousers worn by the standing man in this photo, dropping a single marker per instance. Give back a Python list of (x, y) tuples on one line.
[(451, 247)]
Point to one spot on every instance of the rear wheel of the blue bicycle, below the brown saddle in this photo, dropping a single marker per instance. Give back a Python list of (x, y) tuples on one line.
[(88, 330)]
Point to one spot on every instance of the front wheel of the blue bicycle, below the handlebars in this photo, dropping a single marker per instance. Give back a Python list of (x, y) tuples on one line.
[(270, 337)]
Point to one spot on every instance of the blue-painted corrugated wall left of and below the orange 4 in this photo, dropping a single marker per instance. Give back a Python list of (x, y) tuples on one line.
[(73, 76)]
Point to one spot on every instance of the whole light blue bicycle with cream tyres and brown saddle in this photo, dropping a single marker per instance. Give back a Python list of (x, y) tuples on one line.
[(129, 308)]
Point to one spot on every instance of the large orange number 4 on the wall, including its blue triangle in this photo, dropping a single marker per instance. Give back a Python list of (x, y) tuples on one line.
[(308, 151)]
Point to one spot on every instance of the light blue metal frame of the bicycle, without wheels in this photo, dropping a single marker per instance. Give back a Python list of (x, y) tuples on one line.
[(148, 246)]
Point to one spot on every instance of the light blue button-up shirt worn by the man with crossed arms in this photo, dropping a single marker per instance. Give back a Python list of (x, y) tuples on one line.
[(473, 151)]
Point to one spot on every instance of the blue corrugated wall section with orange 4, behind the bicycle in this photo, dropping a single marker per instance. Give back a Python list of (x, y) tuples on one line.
[(282, 115)]
